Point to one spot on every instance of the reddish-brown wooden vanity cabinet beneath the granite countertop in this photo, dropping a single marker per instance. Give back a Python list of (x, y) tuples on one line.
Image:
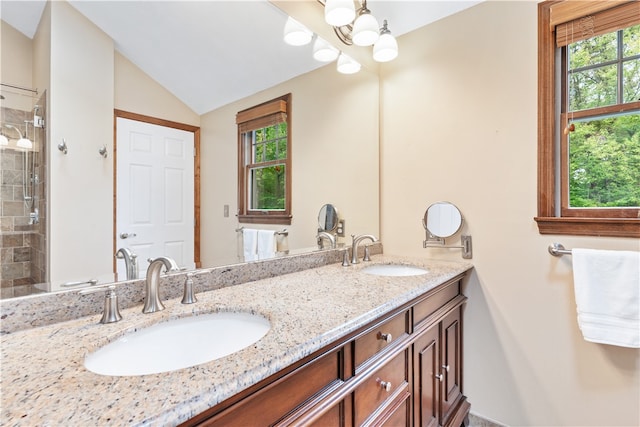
[(404, 369)]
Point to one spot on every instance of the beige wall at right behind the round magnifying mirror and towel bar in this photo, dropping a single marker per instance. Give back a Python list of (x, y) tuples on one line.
[(459, 124)]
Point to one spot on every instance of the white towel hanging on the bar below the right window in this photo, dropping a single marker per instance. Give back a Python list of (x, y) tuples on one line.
[(607, 288)]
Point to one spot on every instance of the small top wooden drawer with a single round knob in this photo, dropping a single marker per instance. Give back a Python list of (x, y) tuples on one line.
[(376, 339)]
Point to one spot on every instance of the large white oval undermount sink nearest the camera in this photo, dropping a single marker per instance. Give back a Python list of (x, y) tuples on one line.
[(177, 344)]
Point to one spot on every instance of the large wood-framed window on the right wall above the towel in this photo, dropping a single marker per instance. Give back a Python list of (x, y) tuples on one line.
[(589, 118)]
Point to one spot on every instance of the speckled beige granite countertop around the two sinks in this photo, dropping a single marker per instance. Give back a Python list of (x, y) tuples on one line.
[(44, 382)]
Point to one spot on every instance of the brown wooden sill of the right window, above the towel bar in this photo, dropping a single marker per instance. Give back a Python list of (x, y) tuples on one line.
[(610, 227)]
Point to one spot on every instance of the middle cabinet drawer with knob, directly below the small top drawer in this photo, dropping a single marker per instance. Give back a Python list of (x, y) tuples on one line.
[(371, 395)]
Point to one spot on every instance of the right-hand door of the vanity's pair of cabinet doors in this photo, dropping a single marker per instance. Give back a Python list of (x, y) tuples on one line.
[(451, 362)]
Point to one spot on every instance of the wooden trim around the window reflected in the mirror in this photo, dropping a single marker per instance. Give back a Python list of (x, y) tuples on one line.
[(252, 118)]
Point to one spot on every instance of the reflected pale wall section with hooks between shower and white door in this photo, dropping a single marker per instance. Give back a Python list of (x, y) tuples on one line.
[(81, 109)]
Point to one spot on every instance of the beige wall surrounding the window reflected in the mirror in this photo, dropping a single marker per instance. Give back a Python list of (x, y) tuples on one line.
[(335, 160)]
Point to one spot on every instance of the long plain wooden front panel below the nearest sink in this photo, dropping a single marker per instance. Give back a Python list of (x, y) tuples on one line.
[(281, 397)]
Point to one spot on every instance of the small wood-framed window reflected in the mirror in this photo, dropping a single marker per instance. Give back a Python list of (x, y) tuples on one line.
[(264, 163)]
